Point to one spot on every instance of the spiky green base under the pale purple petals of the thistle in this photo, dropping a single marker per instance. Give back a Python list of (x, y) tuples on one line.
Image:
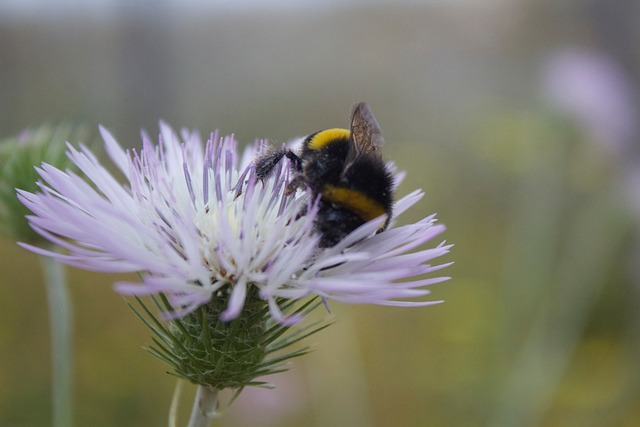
[(210, 352)]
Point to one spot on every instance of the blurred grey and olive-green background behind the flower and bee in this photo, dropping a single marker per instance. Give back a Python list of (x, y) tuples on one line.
[(518, 118)]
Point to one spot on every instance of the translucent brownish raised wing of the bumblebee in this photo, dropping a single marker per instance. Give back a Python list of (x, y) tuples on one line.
[(366, 135)]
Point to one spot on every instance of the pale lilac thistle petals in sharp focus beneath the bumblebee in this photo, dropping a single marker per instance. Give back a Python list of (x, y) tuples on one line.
[(194, 222)]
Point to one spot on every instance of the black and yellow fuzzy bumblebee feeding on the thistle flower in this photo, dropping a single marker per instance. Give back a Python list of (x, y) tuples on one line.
[(345, 168)]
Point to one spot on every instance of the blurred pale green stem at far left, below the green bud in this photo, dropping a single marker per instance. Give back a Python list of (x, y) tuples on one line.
[(60, 314)]
